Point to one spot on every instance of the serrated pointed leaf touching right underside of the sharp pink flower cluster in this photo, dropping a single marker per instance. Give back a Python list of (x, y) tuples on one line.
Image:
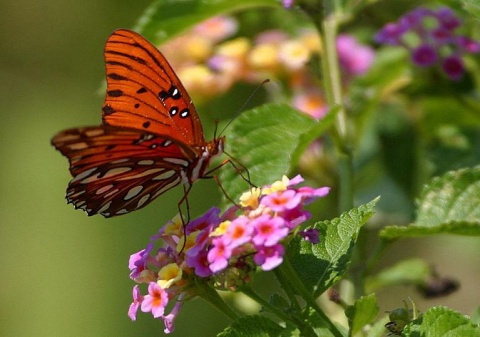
[(322, 265)]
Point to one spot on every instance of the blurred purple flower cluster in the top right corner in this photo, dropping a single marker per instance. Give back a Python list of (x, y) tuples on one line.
[(431, 37)]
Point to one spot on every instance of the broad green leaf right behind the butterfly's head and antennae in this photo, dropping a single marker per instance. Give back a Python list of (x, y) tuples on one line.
[(264, 140)]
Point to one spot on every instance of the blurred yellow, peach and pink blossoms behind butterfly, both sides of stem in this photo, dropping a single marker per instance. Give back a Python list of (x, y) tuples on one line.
[(210, 59)]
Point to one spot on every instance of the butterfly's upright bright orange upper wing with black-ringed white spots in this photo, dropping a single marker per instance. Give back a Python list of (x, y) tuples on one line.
[(144, 93)]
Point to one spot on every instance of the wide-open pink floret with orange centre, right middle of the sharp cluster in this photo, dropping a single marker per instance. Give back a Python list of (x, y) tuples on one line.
[(269, 231)]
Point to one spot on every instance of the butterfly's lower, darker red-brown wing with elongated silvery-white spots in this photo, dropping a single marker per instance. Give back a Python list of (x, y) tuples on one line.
[(116, 171)]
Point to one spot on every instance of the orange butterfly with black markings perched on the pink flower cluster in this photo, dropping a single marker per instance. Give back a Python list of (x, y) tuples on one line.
[(150, 140)]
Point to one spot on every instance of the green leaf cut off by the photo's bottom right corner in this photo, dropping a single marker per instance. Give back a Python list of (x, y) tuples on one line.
[(442, 322)]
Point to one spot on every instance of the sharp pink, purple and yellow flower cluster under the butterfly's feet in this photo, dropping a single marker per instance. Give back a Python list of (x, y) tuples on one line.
[(222, 250)]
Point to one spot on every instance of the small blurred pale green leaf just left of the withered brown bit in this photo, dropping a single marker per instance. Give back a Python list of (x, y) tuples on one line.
[(412, 271)]
